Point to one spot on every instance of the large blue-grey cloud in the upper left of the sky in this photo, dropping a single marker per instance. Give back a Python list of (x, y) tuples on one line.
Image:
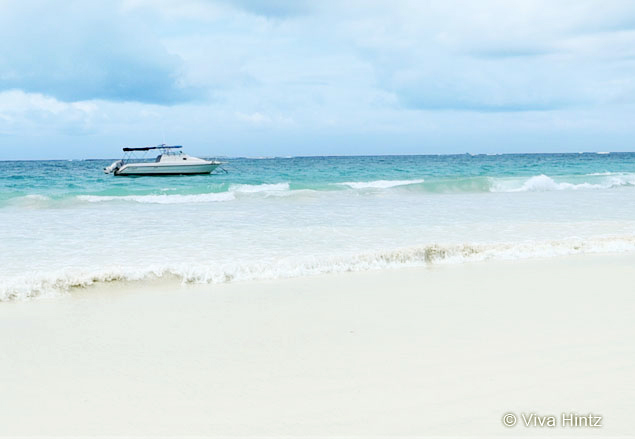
[(86, 50)]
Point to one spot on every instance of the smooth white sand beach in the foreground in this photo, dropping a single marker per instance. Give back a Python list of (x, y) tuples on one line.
[(441, 351)]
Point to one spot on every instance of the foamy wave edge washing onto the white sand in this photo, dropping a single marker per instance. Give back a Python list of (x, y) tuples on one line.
[(52, 284)]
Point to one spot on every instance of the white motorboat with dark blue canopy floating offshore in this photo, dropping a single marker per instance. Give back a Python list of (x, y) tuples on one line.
[(170, 161)]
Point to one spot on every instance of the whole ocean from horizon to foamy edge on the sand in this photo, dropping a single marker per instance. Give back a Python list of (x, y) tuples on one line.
[(66, 224)]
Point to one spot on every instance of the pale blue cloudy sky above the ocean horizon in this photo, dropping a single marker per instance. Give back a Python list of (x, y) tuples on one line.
[(82, 79)]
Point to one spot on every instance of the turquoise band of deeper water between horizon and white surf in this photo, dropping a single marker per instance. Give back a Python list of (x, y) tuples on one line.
[(441, 174)]
